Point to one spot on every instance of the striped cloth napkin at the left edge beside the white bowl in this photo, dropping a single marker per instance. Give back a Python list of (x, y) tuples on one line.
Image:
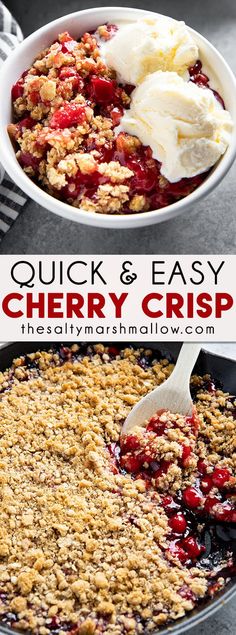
[(12, 199)]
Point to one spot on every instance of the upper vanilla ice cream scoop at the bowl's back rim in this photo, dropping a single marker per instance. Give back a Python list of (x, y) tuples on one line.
[(149, 45)]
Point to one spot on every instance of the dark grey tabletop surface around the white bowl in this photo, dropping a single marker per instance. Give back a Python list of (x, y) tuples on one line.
[(211, 228)]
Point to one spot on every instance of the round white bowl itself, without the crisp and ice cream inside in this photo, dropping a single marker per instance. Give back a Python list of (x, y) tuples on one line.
[(77, 23)]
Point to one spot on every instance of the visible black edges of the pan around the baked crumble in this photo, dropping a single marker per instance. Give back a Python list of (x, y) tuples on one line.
[(222, 370)]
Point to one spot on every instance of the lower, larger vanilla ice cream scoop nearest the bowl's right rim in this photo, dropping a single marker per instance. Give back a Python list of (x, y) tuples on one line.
[(184, 124)]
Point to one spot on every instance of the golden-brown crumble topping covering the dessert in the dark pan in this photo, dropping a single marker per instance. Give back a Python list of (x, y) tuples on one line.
[(67, 548)]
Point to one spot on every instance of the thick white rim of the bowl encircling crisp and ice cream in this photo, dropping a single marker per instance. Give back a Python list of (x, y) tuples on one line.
[(94, 218)]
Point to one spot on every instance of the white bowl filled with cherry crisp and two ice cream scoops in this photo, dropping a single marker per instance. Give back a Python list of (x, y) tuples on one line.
[(72, 142)]
